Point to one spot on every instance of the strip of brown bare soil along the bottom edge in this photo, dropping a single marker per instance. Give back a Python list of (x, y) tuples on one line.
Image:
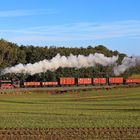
[(69, 133)]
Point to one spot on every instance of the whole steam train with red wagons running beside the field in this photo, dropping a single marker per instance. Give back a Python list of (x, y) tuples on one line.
[(70, 81)]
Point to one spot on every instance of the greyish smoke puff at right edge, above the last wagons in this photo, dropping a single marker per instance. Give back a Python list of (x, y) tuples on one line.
[(127, 63)]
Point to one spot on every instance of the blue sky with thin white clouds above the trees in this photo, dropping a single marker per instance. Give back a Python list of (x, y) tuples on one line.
[(72, 23)]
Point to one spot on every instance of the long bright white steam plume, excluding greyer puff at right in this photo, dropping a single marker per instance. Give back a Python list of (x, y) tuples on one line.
[(62, 61)]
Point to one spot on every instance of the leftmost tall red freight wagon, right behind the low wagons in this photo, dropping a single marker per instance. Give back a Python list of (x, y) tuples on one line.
[(66, 81)]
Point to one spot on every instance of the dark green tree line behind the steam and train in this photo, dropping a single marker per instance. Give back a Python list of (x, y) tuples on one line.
[(12, 54)]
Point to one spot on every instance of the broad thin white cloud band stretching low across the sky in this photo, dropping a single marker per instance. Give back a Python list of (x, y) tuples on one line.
[(76, 32)]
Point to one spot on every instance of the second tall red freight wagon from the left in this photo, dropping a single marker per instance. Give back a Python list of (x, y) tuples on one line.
[(84, 81)]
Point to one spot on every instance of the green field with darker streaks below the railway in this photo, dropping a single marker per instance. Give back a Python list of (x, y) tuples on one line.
[(118, 107)]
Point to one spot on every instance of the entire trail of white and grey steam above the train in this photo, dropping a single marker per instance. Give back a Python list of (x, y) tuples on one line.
[(73, 61)]
